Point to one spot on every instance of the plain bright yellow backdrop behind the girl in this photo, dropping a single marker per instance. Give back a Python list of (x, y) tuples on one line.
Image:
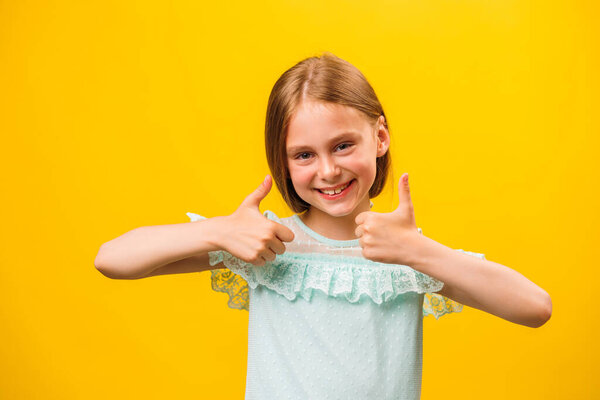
[(116, 115)]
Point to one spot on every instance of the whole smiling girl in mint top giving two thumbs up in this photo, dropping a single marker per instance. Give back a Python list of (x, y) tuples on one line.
[(336, 293)]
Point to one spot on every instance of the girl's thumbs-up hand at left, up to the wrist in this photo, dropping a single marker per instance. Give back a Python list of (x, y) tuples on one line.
[(249, 235)]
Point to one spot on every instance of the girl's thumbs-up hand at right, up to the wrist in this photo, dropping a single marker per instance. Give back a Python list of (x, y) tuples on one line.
[(390, 237)]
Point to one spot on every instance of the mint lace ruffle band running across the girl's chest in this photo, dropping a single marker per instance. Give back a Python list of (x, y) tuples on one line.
[(299, 274)]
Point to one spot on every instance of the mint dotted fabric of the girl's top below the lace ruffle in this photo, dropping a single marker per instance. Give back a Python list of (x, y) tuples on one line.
[(329, 348)]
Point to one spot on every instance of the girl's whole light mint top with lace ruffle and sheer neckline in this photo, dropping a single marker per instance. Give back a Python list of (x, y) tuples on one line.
[(326, 323)]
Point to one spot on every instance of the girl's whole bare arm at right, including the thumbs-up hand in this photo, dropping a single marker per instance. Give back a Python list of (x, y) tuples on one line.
[(482, 284)]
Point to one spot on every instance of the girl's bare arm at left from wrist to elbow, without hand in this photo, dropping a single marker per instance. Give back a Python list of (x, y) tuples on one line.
[(161, 249)]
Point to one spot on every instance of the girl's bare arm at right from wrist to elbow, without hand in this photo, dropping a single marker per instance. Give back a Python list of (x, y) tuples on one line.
[(482, 284)]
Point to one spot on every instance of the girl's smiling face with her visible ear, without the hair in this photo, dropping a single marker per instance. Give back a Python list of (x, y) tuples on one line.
[(331, 147)]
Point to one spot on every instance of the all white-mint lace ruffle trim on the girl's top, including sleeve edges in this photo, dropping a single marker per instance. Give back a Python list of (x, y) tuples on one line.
[(293, 274)]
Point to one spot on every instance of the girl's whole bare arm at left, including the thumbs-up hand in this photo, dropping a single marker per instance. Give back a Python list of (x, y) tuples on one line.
[(178, 248)]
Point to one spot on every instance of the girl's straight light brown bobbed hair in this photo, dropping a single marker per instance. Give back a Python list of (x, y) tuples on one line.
[(327, 78)]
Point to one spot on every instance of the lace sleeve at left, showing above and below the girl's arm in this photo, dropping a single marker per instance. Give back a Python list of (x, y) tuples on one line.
[(224, 280)]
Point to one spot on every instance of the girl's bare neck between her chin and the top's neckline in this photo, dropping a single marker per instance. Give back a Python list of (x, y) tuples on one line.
[(337, 228)]
